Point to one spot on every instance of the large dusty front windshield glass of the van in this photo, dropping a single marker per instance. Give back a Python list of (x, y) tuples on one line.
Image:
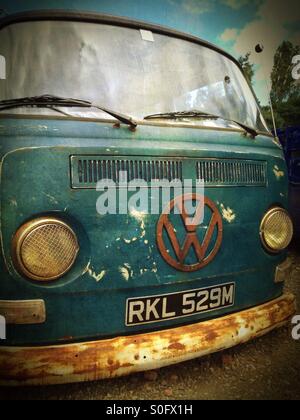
[(131, 71)]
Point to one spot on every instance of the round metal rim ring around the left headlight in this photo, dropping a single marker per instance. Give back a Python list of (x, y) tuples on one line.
[(23, 232)]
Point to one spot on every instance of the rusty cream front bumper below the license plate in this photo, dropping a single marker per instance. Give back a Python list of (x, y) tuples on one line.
[(123, 355)]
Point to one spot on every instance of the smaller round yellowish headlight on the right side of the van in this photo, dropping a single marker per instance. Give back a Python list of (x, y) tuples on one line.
[(276, 230)]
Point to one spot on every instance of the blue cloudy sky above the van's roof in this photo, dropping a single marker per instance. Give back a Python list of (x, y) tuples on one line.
[(234, 25)]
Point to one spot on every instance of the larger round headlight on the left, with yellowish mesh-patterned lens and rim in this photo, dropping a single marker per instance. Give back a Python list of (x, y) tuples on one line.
[(45, 249)]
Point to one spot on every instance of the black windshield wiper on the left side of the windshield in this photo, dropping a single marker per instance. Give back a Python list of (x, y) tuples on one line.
[(52, 102)]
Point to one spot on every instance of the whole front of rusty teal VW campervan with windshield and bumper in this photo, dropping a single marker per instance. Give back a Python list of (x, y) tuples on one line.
[(144, 209)]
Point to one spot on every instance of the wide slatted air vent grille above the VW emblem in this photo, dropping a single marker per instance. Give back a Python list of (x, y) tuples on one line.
[(86, 171)]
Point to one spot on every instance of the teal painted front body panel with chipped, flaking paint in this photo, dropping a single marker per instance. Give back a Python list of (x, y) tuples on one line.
[(89, 302)]
